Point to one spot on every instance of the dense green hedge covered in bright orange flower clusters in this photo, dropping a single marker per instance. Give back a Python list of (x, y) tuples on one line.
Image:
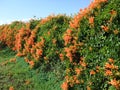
[(87, 45)]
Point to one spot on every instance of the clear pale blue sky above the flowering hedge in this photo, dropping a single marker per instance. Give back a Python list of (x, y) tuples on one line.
[(12, 10)]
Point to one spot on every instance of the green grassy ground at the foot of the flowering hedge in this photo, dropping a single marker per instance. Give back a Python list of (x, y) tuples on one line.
[(19, 76)]
